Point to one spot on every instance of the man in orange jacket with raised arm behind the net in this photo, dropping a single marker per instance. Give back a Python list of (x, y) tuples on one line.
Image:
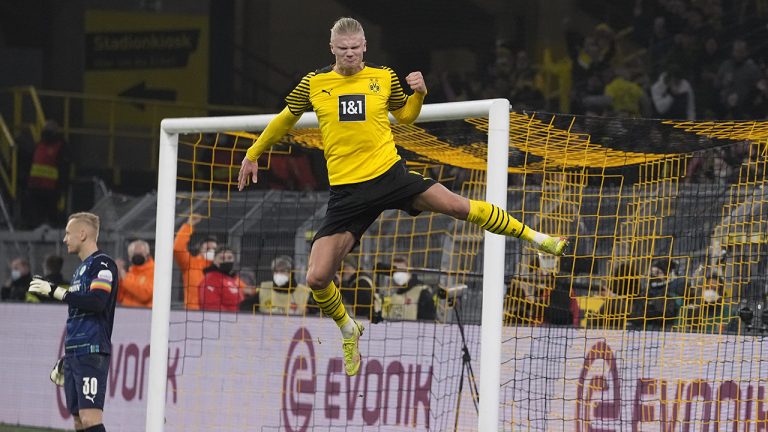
[(192, 266)]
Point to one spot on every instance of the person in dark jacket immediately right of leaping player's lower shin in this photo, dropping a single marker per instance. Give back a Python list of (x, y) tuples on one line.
[(357, 290)]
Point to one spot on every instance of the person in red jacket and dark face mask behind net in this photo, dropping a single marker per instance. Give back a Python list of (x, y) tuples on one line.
[(221, 289)]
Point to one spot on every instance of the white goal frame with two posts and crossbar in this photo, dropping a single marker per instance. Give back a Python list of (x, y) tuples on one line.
[(497, 111)]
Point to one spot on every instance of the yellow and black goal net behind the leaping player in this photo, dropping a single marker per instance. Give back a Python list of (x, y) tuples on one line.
[(638, 327)]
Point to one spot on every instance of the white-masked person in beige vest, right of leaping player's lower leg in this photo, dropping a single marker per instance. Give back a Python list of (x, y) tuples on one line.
[(411, 299)]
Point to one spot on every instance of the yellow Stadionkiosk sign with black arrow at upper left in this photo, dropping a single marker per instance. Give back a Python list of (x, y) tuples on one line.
[(144, 56)]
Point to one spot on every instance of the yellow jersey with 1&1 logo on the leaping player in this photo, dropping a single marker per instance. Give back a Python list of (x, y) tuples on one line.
[(353, 116)]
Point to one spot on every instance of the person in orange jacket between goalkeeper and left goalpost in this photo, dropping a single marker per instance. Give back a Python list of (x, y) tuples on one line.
[(137, 284)]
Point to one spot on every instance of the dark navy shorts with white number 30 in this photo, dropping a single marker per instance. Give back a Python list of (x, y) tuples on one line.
[(85, 381)]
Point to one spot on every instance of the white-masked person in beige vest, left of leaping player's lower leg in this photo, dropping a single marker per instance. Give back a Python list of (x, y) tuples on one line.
[(281, 295)]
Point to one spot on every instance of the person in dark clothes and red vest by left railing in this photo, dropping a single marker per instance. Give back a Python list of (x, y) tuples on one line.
[(47, 178)]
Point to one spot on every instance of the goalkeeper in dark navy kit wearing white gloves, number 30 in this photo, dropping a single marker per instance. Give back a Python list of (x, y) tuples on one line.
[(87, 343)]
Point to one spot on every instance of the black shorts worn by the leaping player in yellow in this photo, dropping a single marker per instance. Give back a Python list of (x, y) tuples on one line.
[(354, 207)]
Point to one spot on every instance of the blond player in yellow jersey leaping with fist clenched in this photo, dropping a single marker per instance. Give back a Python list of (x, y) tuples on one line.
[(352, 100)]
